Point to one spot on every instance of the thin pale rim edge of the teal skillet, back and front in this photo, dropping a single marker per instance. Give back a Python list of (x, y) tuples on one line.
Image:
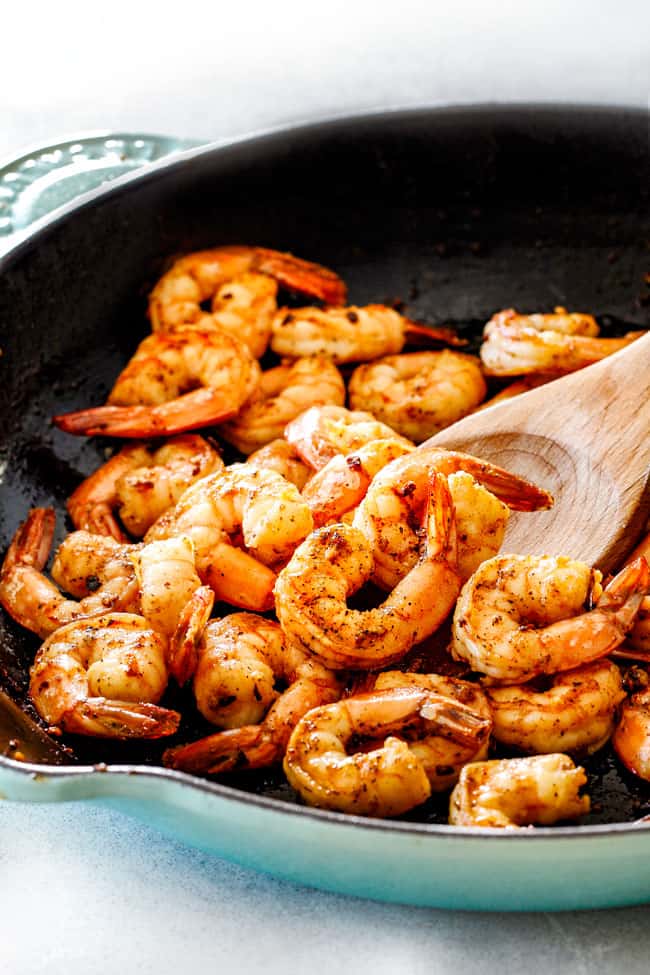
[(29, 238)]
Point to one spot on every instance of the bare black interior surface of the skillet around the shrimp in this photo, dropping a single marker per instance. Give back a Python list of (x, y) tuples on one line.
[(455, 212)]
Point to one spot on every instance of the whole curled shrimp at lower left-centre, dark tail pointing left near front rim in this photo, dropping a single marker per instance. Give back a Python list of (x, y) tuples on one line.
[(239, 660)]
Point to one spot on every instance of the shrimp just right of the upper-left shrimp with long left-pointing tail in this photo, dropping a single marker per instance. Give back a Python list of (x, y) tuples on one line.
[(283, 394)]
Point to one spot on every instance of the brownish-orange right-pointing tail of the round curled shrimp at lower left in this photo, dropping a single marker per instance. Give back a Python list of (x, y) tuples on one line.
[(119, 719)]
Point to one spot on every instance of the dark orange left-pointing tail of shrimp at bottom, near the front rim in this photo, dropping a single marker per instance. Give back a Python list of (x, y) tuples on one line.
[(223, 752)]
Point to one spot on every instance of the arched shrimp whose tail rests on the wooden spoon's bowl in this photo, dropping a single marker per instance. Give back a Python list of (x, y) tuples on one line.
[(392, 510)]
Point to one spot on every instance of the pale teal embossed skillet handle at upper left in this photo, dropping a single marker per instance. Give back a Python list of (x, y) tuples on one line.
[(47, 178)]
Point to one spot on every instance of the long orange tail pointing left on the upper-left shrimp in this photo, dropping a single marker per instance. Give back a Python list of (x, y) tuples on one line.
[(200, 408)]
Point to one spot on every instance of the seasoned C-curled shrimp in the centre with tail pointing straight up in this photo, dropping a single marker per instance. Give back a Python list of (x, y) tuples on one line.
[(335, 561)]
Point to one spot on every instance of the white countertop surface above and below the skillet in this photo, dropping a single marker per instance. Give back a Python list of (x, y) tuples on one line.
[(84, 889)]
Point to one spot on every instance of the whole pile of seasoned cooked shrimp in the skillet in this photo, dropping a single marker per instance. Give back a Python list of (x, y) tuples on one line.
[(323, 502)]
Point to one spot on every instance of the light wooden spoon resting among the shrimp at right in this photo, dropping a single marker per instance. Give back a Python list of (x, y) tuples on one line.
[(585, 438)]
